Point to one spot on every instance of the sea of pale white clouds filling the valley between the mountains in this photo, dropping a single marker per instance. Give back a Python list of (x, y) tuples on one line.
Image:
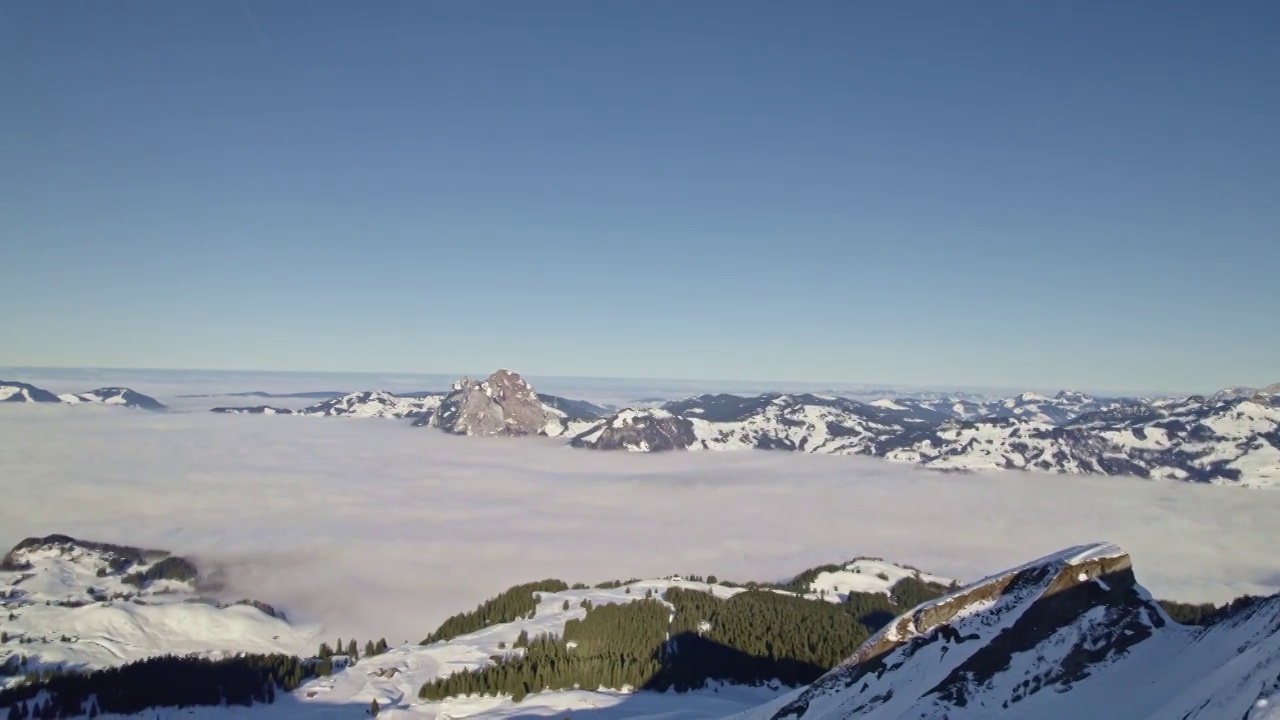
[(376, 528)]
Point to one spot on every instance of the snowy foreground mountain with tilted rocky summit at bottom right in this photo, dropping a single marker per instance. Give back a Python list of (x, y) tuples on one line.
[(1067, 636)]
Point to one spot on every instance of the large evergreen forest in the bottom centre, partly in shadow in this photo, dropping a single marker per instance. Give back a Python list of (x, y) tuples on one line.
[(749, 639)]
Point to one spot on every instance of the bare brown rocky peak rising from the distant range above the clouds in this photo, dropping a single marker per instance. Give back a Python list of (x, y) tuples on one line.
[(501, 405)]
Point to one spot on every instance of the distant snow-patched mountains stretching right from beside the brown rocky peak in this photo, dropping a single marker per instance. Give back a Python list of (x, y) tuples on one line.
[(1194, 439)]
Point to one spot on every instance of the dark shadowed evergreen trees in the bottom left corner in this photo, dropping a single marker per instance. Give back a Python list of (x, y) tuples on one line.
[(157, 682)]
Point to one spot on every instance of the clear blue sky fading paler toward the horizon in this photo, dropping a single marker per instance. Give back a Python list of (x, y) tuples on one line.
[(1002, 194)]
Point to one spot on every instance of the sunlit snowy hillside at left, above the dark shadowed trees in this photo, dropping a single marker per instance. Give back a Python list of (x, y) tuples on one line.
[(74, 604)]
